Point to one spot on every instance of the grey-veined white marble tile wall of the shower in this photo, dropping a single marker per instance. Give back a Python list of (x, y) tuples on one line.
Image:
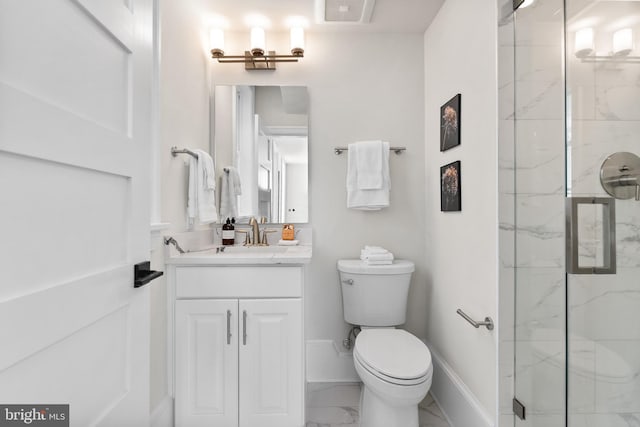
[(603, 105)]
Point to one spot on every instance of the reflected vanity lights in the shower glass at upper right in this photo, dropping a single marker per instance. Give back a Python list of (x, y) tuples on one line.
[(622, 46)]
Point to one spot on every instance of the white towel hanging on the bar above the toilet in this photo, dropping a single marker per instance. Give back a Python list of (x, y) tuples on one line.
[(367, 198)]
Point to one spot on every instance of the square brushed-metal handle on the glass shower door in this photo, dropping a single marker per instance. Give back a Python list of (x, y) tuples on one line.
[(579, 249)]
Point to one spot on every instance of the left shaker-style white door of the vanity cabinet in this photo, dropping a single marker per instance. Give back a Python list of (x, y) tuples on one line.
[(206, 368)]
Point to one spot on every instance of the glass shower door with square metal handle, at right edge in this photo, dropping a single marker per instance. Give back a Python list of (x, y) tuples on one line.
[(603, 119)]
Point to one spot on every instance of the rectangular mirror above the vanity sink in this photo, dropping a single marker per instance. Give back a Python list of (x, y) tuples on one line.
[(261, 152)]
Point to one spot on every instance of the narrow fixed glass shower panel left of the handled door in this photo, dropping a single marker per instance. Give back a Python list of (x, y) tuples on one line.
[(539, 197)]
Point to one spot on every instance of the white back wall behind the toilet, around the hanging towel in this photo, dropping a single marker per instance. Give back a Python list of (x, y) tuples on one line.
[(354, 96)]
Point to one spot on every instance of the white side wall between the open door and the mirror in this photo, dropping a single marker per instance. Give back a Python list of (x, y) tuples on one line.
[(184, 121)]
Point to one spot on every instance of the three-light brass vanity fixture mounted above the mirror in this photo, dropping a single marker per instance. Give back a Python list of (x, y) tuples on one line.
[(258, 58)]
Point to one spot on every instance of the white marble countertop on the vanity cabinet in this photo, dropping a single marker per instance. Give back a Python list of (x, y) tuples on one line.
[(247, 255)]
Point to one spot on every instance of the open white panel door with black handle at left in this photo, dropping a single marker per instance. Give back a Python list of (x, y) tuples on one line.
[(74, 182)]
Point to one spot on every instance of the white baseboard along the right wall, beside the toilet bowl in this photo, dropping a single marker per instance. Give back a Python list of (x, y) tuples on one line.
[(458, 404)]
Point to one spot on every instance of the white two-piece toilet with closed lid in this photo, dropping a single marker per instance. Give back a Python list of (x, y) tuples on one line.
[(394, 366)]
